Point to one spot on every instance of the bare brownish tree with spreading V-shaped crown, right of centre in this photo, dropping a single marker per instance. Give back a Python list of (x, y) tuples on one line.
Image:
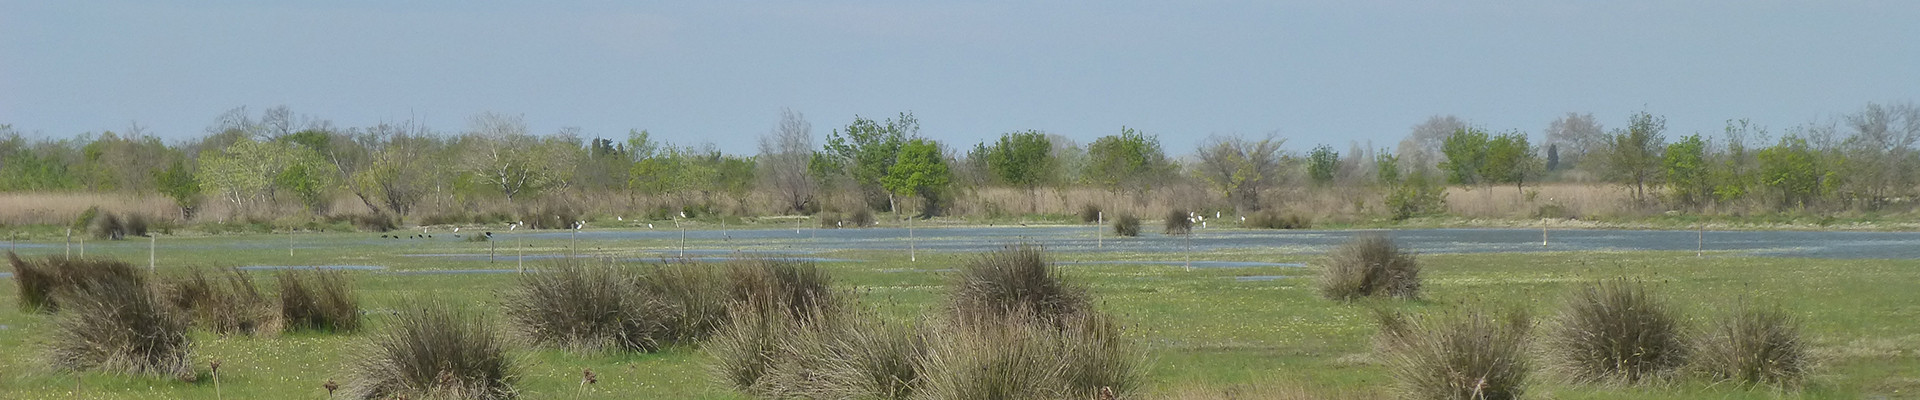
[(1241, 168)]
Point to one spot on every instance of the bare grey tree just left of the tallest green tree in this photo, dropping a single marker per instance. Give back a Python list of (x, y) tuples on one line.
[(784, 157)]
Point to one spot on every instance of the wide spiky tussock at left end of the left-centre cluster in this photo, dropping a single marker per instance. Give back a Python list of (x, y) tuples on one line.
[(587, 309)]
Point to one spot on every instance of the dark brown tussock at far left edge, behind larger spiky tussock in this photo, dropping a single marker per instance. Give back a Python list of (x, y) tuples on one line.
[(43, 280)]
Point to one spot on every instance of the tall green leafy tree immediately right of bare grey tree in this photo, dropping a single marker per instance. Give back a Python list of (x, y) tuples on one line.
[(869, 151)]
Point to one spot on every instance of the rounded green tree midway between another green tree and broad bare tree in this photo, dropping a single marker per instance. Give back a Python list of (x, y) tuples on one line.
[(1130, 161)]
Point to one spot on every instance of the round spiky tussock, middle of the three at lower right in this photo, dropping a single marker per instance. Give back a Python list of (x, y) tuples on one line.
[(1616, 332)]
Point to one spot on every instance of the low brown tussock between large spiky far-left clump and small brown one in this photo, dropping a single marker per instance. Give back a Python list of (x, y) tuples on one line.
[(224, 305)]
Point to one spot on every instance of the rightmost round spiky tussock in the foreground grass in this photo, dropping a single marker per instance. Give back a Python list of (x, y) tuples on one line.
[(1754, 347)]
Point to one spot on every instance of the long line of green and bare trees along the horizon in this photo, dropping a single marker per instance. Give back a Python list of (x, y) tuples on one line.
[(281, 161)]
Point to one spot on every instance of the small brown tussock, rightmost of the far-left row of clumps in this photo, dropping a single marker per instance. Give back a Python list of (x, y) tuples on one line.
[(318, 301)]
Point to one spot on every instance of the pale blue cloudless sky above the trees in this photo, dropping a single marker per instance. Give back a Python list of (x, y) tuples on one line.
[(721, 72)]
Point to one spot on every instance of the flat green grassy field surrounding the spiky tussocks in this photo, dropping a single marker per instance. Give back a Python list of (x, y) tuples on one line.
[(1205, 328)]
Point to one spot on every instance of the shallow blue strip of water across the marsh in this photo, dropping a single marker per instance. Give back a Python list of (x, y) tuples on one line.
[(1428, 241)]
